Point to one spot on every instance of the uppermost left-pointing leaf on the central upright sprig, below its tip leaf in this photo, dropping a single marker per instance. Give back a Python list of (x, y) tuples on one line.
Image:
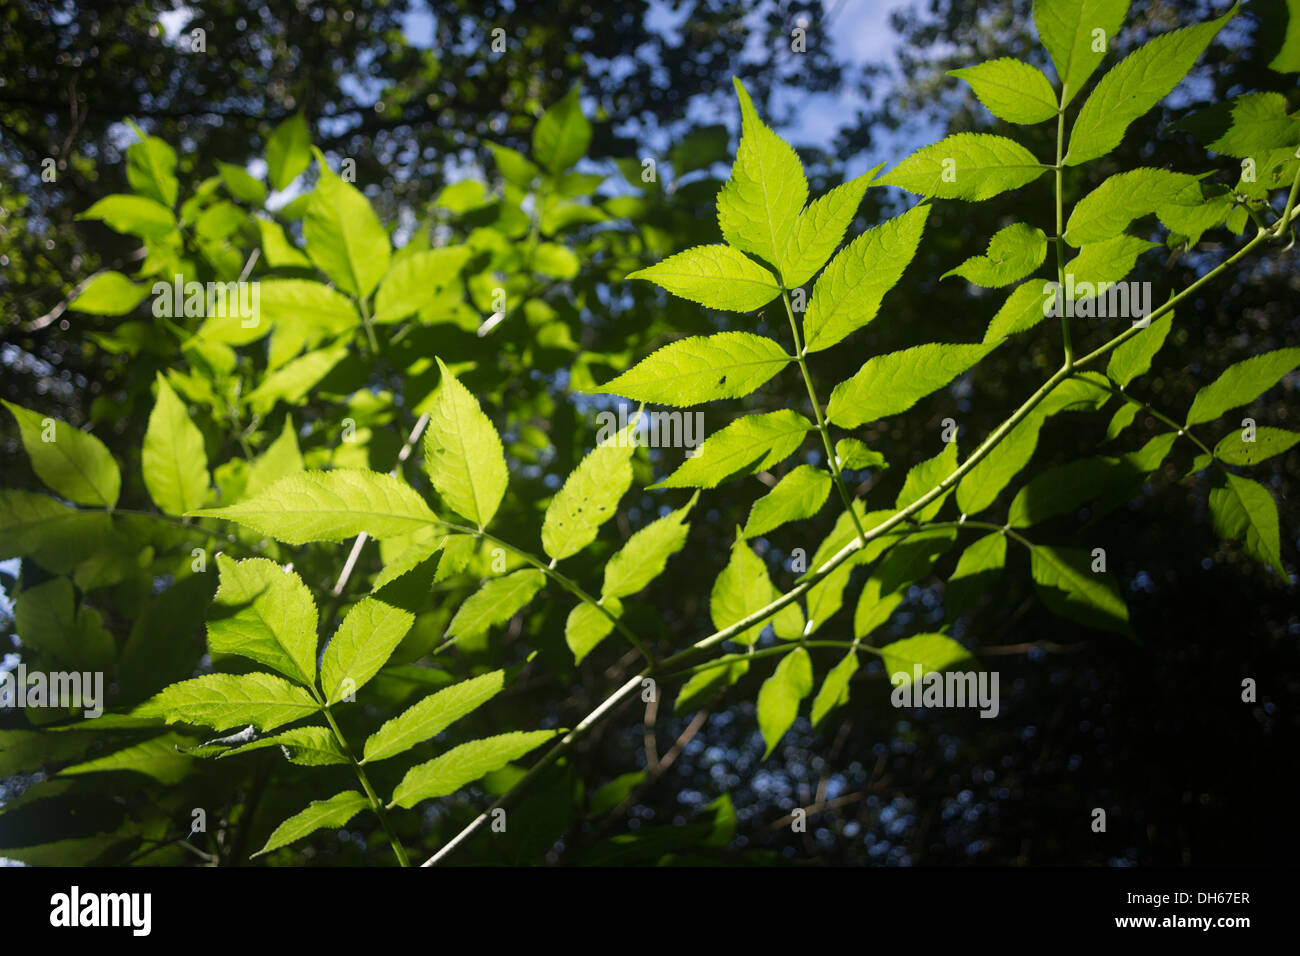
[(714, 276)]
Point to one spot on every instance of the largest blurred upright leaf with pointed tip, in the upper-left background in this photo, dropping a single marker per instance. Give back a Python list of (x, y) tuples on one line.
[(344, 236)]
